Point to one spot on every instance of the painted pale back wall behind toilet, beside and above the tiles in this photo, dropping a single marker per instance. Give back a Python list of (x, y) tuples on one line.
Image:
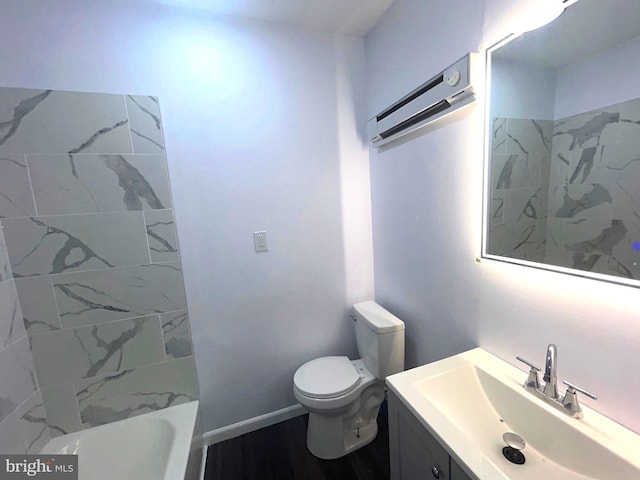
[(261, 134)]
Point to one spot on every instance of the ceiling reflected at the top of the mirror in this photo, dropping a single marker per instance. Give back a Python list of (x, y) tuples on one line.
[(584, 29)]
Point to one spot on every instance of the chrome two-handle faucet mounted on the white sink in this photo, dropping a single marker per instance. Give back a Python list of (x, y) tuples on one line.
[(549, 393)]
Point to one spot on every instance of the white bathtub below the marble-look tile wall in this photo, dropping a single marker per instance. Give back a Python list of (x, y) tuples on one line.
[(153, 446)]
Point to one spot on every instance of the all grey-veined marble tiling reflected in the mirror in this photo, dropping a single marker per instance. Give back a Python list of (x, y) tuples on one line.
[(567, 192)]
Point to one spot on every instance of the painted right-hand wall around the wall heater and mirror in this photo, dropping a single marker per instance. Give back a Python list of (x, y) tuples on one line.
[(426, 197)]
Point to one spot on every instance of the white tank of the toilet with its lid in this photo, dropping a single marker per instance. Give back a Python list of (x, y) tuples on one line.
[(380, 338)]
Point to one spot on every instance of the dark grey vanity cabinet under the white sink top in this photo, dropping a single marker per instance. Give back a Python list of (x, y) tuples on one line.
[(415, 453)]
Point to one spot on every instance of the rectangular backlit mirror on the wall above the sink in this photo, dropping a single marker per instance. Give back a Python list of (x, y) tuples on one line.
[(563, 144)]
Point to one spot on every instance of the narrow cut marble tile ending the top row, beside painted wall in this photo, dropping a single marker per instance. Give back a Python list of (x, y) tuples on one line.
[(145, 124)]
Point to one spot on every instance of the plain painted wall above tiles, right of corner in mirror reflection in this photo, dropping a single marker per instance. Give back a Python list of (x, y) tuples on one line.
[(600, 80)]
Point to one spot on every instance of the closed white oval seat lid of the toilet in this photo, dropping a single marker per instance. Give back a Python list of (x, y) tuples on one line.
[(326, 377)]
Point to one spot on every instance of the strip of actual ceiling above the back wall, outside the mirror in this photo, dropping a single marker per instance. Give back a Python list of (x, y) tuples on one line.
[(350, 17)]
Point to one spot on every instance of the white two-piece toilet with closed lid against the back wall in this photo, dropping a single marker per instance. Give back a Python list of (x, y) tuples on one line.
[(343, 396)]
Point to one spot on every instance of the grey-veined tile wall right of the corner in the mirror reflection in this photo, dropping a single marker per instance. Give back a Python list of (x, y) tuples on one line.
[(594, 191)]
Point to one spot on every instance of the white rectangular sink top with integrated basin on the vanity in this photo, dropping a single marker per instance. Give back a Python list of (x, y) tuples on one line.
[(470, 400)]
